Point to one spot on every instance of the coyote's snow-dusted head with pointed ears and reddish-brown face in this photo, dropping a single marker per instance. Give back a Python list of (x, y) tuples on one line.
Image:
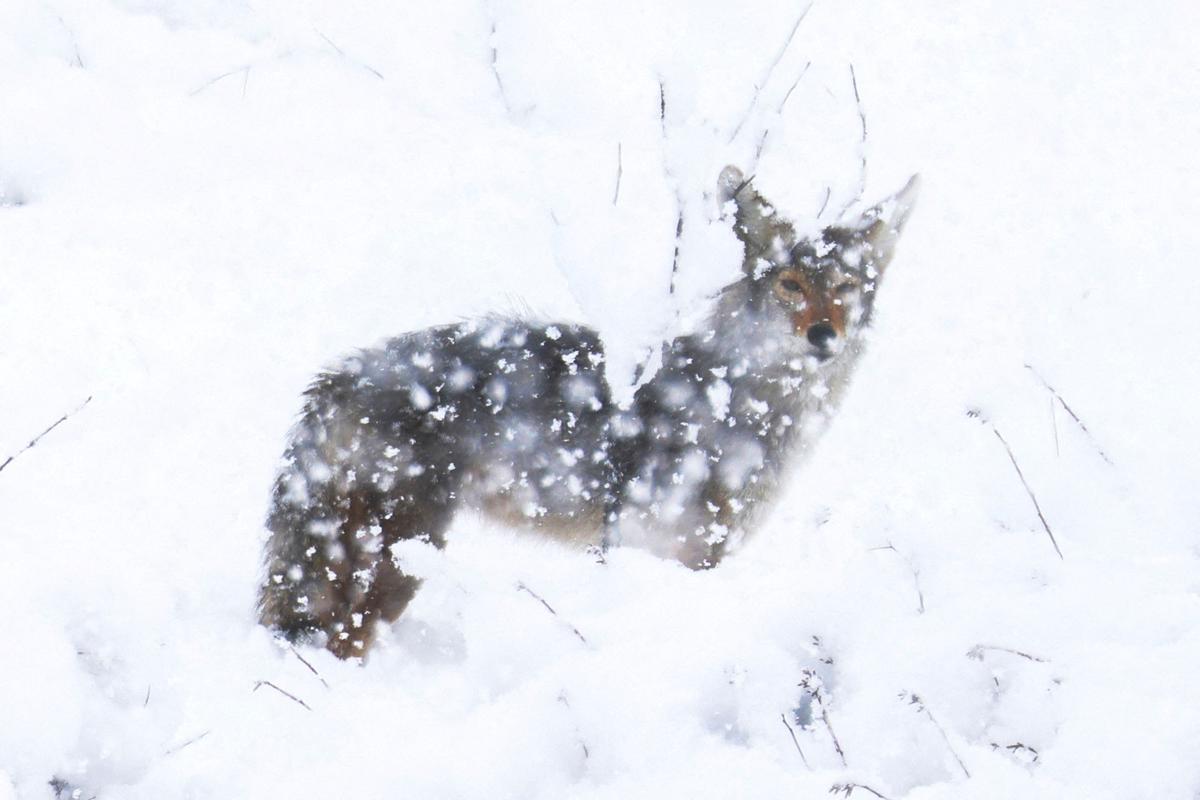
[(821, 290)]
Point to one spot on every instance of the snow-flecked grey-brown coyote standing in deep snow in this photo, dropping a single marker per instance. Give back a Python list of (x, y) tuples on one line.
[(515, 419)]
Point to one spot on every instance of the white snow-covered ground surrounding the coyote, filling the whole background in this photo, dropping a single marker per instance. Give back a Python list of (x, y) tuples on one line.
[(205, 202)]
